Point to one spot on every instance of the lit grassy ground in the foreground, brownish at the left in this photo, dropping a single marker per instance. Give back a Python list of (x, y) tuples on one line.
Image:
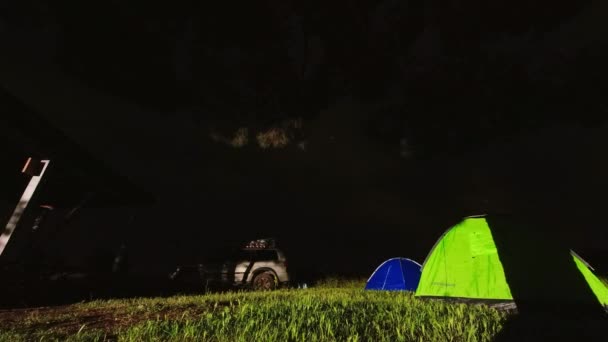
[(333, 310)]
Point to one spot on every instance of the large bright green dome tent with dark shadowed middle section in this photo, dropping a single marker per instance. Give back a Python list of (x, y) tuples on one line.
[(494, 259)]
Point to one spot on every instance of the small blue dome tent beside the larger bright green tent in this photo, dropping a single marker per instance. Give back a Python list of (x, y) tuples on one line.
[(396, 274)]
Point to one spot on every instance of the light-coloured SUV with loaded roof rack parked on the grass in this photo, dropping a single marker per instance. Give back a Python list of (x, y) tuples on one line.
[(259, 265)]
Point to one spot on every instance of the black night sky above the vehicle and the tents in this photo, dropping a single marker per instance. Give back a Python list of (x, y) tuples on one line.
[(144, 89)]
